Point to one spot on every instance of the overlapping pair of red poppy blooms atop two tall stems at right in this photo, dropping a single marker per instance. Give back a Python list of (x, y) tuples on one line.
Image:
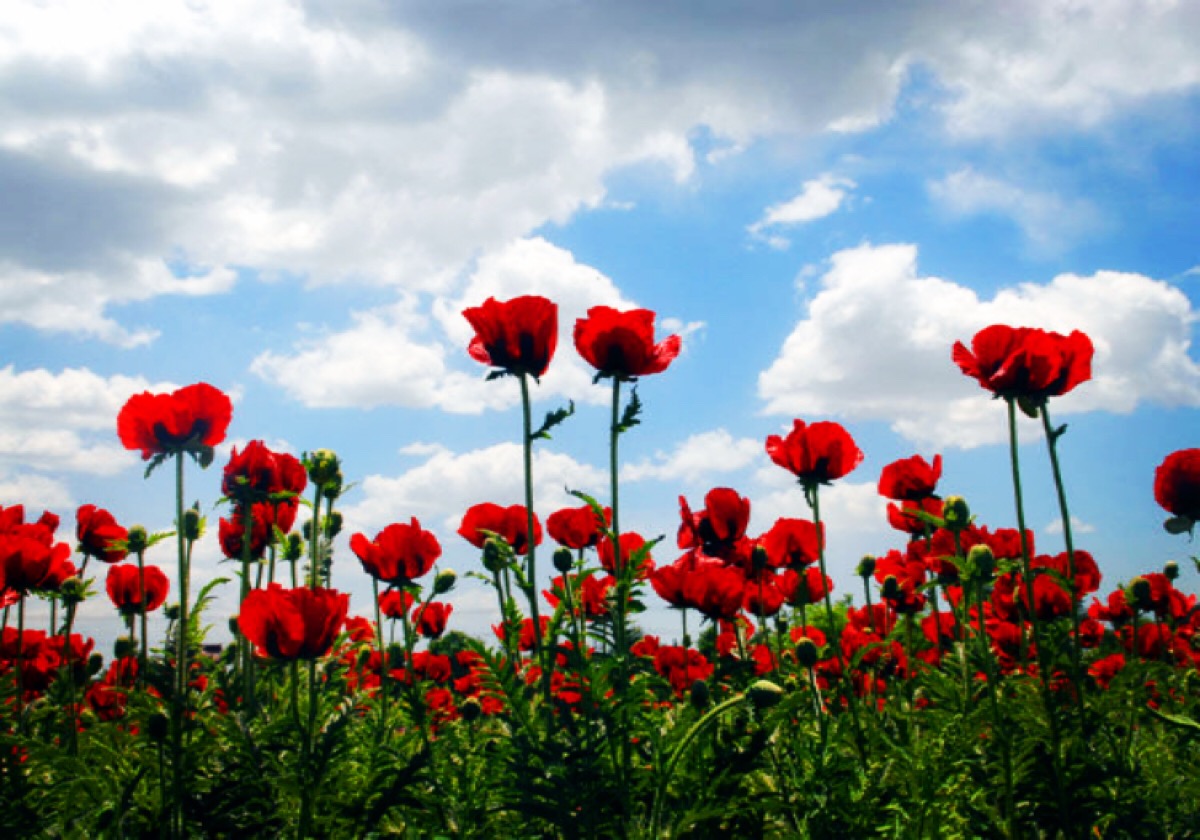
[(1022, 362)]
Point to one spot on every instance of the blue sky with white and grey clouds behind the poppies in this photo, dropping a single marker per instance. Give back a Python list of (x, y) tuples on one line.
[(296, 201)]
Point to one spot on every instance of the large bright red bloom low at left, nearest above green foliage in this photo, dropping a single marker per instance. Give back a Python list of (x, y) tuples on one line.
[(290, 625)]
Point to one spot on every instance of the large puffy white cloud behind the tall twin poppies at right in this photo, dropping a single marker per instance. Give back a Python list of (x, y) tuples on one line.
[(875, 345)]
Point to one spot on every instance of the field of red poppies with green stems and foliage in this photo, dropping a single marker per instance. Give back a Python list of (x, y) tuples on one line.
[(981, 685)]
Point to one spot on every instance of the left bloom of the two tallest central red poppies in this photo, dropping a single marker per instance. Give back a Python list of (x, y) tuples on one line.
[(518, 337)]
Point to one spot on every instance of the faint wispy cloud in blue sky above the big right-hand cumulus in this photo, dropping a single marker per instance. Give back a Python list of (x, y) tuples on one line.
[(1048, 220)]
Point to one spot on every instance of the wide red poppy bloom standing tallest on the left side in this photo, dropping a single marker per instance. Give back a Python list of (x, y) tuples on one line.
[(182, 422)]
